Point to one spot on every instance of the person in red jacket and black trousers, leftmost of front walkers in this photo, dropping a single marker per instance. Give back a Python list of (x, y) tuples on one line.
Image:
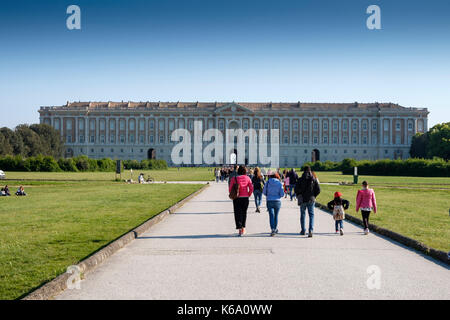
[(240, 204)]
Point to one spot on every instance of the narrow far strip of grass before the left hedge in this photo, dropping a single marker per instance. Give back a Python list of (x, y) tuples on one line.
[(171, 174)]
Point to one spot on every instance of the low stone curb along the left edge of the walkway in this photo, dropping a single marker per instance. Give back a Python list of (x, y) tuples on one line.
[(59, 284)]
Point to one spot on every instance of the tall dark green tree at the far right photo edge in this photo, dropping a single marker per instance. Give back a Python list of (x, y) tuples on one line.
[(439, 141)]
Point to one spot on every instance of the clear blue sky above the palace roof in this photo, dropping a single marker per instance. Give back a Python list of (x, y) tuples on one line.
[(223, 50)]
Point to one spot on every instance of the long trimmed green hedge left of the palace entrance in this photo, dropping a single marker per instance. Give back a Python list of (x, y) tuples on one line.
[(76, 164)]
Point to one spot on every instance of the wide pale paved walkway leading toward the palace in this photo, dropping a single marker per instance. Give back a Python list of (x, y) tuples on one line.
[(194, 254)]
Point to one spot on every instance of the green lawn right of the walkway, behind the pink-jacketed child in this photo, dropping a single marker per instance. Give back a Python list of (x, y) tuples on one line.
[(419, 214)]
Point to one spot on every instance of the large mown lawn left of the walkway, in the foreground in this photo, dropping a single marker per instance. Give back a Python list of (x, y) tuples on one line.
[(58, 225)]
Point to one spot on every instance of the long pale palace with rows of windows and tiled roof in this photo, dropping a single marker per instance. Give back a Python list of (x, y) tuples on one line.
[(308, 131)]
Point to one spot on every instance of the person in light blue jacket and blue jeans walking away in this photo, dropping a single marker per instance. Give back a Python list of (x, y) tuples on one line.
[(273, 190)]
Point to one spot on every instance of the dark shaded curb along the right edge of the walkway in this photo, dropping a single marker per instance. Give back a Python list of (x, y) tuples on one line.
[(409, 242)]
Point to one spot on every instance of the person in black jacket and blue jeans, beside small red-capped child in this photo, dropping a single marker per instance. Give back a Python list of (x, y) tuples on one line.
[(307, 189)]
